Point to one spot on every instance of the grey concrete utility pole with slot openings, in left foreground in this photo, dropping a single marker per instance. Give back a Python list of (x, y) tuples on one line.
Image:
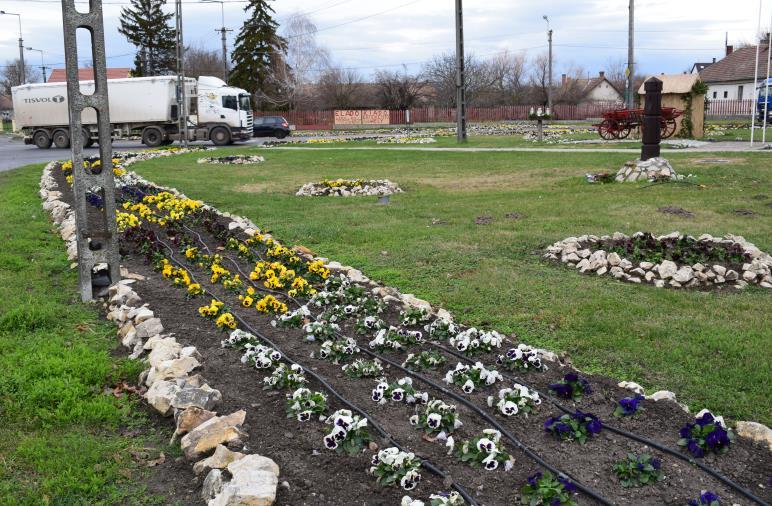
[(97, 236)]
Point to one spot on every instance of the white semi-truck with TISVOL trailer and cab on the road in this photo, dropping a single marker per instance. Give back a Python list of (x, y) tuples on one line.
[(144, 107)]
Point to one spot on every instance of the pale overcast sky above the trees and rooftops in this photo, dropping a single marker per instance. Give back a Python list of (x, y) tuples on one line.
[(367, 34)]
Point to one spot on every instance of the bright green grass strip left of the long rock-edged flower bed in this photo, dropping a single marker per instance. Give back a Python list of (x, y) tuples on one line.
[(64, 438)]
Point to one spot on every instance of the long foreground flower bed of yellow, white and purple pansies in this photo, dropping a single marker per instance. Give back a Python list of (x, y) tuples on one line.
[(357, 390)]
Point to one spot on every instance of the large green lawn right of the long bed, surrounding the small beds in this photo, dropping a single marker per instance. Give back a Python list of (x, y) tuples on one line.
[(713, 349)]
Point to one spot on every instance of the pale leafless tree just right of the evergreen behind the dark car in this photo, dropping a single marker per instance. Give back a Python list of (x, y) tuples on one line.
[(305, 61)]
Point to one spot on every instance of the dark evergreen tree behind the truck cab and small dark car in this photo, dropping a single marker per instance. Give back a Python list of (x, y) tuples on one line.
[(258, 55)]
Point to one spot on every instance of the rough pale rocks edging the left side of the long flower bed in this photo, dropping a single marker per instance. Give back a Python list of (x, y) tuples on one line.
[(173, 389)]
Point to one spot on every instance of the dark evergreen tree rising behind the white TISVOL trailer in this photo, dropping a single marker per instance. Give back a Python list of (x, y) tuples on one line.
[(146, 26)]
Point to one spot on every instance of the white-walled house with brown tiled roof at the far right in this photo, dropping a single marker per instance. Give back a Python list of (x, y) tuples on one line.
[(732, 77)]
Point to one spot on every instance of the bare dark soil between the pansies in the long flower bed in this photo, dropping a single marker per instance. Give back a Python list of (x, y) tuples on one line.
[(317, 476)]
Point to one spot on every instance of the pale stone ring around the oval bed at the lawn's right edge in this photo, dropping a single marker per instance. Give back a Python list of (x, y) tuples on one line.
[(581, 253)]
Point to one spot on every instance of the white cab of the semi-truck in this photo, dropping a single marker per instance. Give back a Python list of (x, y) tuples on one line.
[(224, 112)]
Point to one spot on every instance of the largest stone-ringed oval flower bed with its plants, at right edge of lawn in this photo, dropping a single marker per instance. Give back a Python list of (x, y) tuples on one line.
[(672, 260)]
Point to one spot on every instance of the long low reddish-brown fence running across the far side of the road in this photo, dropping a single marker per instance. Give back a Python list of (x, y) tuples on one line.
[(323, 120)]
